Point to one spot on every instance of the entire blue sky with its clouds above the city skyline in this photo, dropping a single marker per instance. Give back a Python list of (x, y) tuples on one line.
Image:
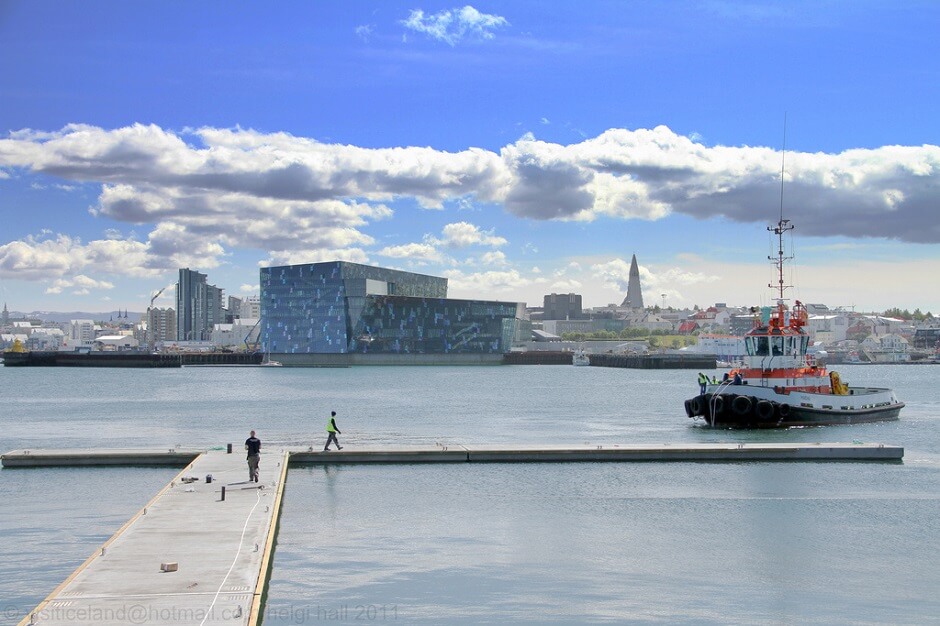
[(517, 148)]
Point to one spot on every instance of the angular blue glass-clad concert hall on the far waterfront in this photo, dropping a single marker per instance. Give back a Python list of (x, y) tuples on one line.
[(341, 313)]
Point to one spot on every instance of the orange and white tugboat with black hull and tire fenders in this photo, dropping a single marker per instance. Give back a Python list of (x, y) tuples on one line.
[(779, 384)]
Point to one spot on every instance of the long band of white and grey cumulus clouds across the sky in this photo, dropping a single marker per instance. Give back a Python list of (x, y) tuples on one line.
[(204, 192)]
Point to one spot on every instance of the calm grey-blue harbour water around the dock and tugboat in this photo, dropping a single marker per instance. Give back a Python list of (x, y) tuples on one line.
[(565, 543)]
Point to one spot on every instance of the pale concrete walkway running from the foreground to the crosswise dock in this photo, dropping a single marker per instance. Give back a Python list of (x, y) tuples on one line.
[(190, 556)]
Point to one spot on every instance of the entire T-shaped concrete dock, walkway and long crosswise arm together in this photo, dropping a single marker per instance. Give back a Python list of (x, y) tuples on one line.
[(200, 551)]
